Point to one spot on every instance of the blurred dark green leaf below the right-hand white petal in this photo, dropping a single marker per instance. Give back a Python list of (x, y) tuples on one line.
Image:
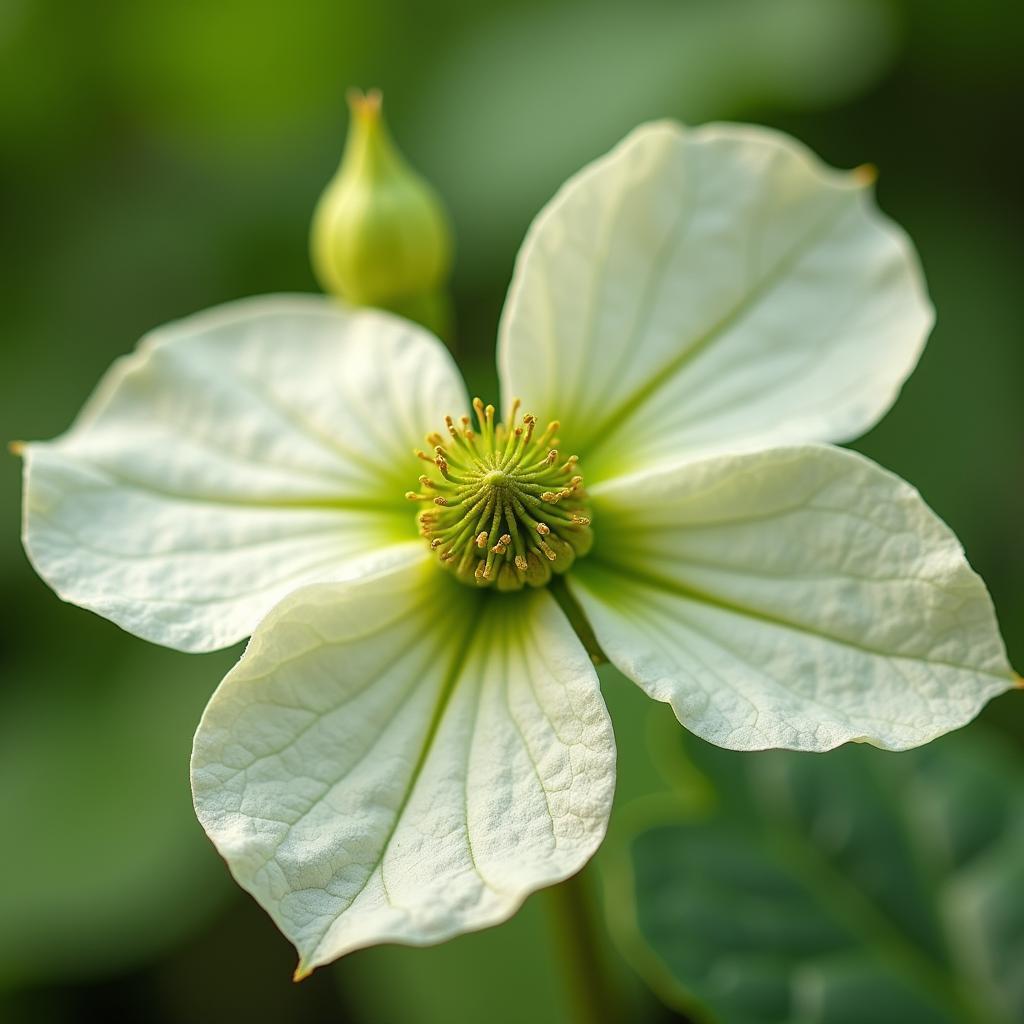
[(859, 886)]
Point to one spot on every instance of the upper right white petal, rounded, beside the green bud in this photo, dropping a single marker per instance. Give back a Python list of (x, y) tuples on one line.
[(709, 290)]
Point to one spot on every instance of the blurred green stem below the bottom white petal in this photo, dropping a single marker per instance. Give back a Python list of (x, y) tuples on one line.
[(592, 994)]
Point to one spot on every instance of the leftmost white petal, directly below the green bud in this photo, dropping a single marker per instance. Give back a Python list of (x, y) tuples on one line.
[(238, 455)]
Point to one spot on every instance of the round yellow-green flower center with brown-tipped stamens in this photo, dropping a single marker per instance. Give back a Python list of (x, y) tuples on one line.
[(505, 508)]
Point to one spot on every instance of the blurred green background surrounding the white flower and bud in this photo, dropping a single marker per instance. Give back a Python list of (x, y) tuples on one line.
[(160, 158)]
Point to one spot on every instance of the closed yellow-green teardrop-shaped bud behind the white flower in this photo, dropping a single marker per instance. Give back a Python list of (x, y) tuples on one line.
[(380, 237)]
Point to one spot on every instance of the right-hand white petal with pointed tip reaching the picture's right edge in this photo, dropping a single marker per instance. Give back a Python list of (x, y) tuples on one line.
[(798, 599)]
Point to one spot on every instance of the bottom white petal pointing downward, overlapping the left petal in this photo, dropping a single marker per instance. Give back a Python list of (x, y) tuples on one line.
[(404, 759)]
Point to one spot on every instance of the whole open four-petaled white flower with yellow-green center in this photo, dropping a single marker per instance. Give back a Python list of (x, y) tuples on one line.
[(415, 738)]
